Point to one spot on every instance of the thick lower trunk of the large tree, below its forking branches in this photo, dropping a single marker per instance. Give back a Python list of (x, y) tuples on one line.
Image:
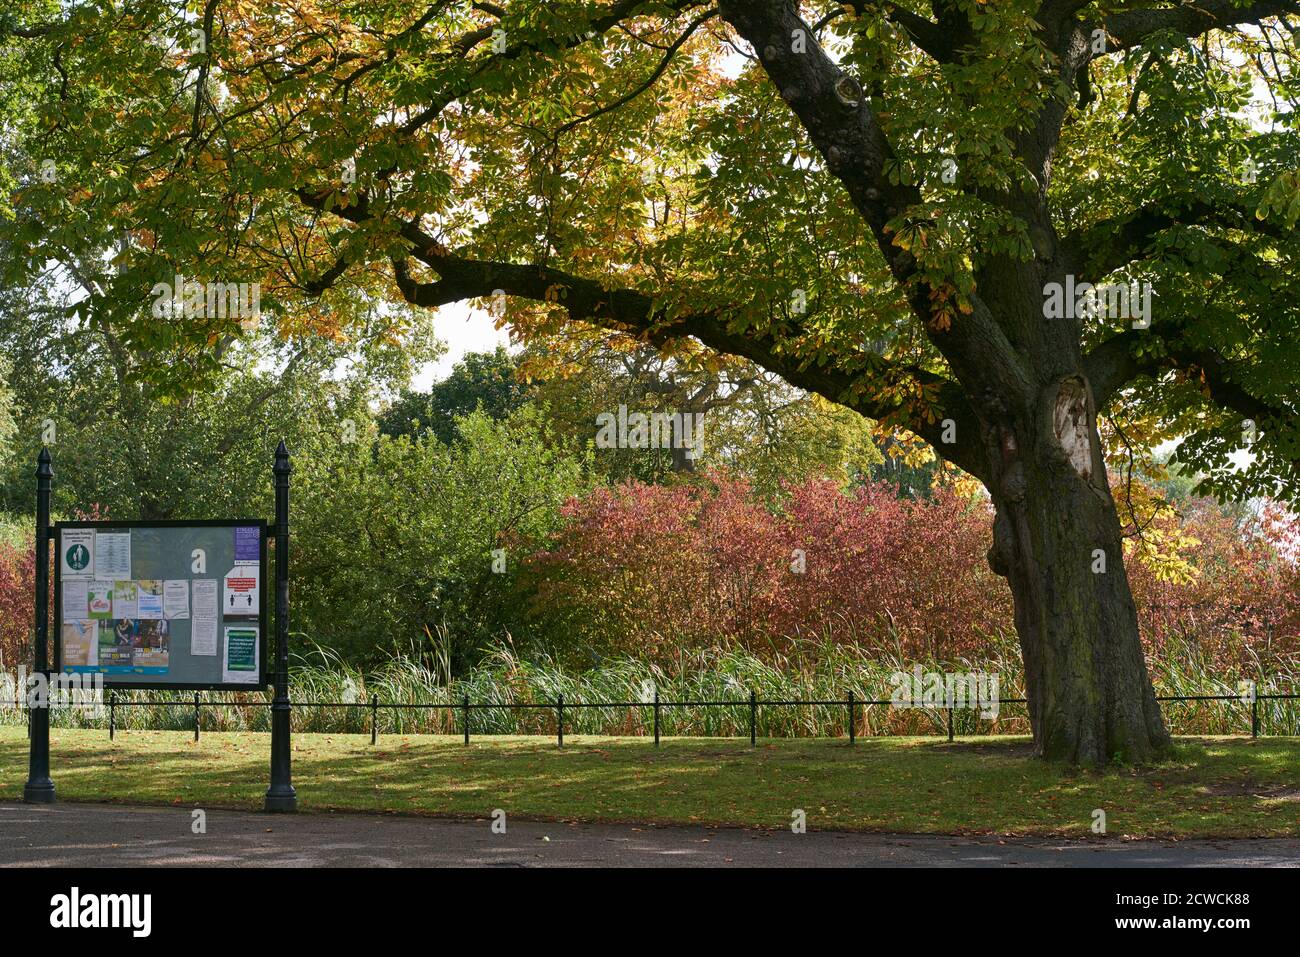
[(1058, 542)]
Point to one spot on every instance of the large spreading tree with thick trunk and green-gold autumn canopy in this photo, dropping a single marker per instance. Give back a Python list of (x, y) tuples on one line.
[(879, 202)]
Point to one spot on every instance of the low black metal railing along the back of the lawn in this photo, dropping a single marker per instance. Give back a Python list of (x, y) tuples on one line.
[(852, 704)]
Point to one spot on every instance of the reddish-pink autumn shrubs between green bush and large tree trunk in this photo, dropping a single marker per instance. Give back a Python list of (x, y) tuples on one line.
[(652, 570)]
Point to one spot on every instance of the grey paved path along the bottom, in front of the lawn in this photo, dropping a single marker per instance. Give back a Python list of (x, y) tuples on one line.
[(109, 835)]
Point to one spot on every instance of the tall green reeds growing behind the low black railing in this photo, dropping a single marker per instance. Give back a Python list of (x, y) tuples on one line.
[(333, 698)]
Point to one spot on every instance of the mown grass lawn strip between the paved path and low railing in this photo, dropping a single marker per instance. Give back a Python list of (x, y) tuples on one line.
[(1211, 787)]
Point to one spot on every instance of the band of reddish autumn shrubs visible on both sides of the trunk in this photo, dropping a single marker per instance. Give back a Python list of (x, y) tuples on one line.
[(655, 571)]
